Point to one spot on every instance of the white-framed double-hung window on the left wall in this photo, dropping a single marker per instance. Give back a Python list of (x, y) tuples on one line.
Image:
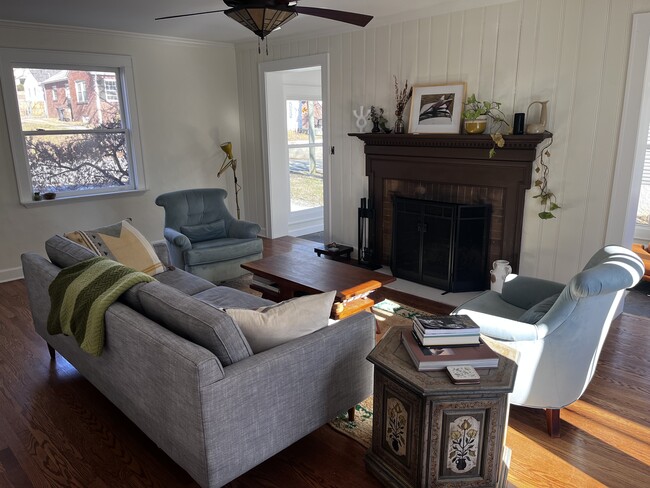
[(73, 149)]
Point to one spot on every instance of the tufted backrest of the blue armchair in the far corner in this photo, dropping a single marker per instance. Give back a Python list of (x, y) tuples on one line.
[(194, 207)]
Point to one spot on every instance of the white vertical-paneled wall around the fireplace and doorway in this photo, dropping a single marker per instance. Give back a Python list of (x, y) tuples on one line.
[(571, 52)]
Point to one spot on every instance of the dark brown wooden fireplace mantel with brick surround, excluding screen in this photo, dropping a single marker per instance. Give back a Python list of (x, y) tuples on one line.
[(456, 168)]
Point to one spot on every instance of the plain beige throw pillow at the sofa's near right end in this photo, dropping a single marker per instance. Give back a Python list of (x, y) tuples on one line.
[(268, 327)]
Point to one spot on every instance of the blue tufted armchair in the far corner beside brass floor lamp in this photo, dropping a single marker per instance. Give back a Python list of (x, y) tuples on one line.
[(203, 238)]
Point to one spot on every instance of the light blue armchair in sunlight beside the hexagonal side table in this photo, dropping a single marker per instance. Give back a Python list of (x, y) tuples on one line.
[(558, 330)]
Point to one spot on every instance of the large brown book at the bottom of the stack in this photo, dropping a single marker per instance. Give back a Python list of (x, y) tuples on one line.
[(438, 358)]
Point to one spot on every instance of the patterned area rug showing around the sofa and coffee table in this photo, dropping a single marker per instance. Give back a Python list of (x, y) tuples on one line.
[(388, 314)]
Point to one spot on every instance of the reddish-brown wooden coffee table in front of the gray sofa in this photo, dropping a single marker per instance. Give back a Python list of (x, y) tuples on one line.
[(288, 275)]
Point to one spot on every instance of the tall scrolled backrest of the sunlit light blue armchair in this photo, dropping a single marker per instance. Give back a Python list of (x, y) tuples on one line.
[(560, 366)]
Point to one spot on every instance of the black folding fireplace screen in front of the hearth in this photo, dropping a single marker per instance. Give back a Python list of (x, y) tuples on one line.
[(440, 244)]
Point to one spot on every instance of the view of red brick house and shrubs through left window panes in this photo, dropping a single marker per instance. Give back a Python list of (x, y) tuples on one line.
[(73, 129)]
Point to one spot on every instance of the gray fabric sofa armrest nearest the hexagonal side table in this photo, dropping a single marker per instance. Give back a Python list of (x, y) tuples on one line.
[(270, 400)]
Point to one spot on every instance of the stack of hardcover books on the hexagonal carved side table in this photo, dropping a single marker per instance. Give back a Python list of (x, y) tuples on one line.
[(437, 342)]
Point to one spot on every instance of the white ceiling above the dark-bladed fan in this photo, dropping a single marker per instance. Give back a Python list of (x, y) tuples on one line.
[(138, 15)]
